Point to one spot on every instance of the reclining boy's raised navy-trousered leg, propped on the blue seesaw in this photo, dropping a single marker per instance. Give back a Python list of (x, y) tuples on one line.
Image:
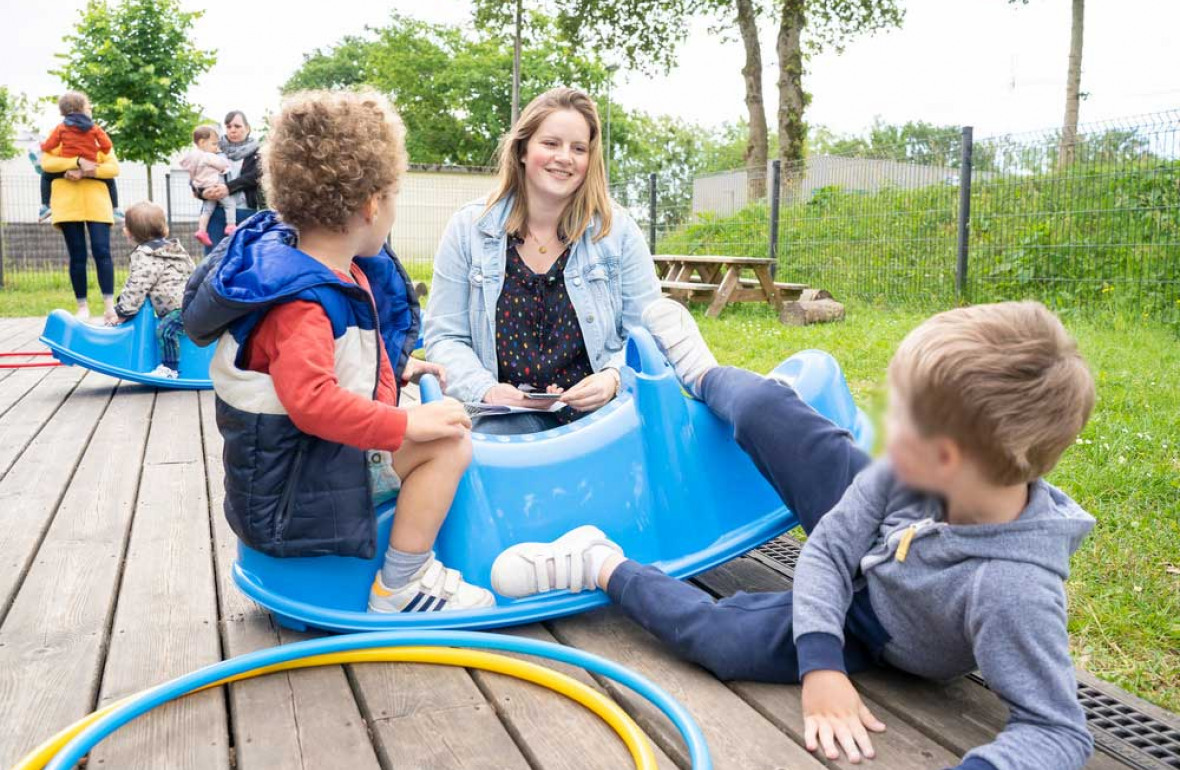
[(807, 458)]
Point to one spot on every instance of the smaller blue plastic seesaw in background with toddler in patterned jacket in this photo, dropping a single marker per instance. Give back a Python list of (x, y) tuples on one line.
[(127, 352)]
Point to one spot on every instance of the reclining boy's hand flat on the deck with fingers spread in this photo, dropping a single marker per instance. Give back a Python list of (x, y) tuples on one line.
[(835, 716)]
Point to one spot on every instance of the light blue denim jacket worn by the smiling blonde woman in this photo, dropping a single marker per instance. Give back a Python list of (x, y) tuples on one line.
[(611, 284)]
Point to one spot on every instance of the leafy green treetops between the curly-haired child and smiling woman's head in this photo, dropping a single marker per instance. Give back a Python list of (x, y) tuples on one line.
[(453, 88)]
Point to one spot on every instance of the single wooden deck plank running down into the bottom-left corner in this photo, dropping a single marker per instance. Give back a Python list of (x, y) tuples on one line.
[(54, 640)]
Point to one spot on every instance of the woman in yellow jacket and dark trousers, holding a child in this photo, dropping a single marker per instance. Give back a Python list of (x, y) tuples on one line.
[(82, 205)]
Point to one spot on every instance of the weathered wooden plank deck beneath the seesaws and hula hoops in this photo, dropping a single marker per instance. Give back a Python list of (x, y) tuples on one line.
[(74, 476)]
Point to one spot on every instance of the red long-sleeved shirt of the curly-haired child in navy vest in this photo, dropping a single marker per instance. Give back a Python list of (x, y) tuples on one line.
[(294, 345)]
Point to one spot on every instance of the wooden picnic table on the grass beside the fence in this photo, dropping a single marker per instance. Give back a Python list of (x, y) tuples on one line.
[(718, 280)]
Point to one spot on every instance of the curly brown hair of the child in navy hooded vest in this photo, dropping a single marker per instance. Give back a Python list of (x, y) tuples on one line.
[(329, 154)]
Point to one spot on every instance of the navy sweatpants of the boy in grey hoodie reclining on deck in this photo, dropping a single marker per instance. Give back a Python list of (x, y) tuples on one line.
[(810, 463)]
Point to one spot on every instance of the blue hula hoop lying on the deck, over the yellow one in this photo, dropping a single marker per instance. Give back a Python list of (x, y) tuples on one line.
[(94, 729)]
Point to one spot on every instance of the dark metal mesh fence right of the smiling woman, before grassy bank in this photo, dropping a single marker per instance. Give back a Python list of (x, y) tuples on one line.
[(1089, 225)]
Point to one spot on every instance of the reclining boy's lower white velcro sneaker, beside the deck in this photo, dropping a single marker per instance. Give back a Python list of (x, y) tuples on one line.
[(568, 563)]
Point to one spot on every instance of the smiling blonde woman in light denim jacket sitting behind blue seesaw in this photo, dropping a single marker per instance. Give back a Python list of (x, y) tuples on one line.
[(537, 287)]
